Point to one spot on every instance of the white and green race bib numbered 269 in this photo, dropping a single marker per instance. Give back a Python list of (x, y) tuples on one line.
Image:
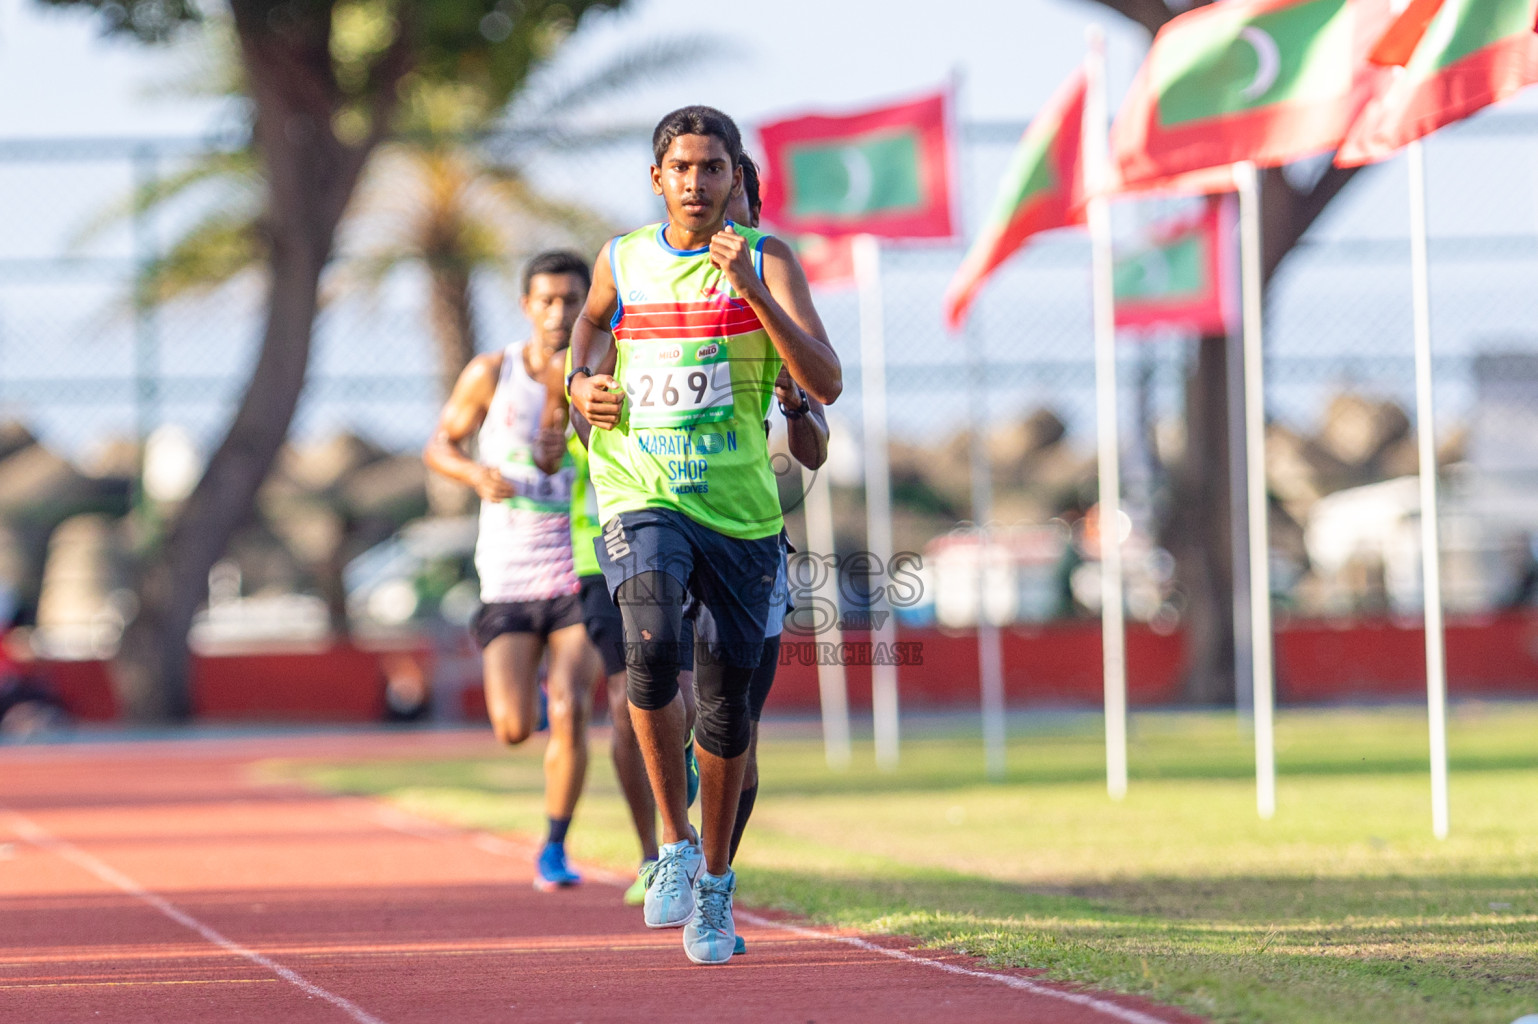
[(679, 385)]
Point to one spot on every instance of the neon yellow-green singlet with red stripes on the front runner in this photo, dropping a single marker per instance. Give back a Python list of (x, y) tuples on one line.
[(699, 371)]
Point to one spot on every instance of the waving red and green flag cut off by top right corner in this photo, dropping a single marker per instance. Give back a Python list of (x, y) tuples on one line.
[(1456, 58)]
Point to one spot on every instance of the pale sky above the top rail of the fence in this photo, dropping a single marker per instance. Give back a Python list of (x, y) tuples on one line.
[(59, 78)]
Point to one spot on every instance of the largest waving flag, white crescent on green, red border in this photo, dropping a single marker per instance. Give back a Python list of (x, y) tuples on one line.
[(1260, 81)]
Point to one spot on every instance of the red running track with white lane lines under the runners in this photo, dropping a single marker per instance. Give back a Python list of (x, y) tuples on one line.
[(164, 882)]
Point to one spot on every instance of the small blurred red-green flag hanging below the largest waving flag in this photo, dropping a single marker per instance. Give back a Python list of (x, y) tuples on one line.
[(1185, 279)]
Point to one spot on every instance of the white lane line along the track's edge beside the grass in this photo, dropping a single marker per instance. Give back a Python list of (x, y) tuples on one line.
[(422, 828)]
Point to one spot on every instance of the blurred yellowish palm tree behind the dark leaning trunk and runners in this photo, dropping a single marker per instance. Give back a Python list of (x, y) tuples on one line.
[(450, 196)]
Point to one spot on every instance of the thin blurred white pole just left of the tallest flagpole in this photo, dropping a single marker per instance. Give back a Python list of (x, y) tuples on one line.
[(990, 642)]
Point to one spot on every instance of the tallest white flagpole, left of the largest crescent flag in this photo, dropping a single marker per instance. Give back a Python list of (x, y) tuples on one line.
[(1113, 617)]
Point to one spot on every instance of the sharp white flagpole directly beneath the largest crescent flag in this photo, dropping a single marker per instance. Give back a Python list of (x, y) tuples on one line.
[(1248, 182)]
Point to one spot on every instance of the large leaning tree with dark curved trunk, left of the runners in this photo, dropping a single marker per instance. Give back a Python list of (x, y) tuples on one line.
[(327, 81)]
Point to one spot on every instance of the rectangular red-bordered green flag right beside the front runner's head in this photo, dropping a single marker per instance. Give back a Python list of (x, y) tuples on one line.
[(881, 173)]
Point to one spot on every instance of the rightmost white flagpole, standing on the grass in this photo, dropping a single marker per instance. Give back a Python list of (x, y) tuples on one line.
[(1426, 439)]
